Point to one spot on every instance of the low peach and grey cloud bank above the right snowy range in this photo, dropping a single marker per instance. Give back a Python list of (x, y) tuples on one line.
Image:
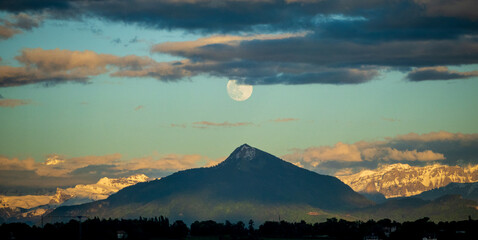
[(414, 149)]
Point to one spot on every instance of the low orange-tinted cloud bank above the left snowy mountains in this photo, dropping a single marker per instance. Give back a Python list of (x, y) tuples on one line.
[(58, 170)]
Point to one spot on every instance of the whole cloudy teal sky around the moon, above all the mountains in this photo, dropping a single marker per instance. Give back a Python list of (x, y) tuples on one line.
[(112, 88)]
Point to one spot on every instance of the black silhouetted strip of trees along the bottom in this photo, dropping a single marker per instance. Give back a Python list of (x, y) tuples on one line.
[(161, 228)]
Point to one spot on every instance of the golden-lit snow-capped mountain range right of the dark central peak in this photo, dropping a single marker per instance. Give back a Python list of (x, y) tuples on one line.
[(403, 180)]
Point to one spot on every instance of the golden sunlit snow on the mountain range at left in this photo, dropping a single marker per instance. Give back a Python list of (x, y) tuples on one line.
[(70, 196)]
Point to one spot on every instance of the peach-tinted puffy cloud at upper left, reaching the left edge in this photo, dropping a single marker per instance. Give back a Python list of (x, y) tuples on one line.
[(57, 66)]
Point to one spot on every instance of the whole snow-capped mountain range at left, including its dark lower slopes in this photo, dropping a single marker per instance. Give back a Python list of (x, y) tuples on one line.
[(30, 206)]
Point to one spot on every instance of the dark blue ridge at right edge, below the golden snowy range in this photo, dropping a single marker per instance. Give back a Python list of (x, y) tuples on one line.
[(466, 190)]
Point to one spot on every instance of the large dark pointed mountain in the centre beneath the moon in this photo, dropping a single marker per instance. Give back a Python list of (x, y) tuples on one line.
[(249, 184)]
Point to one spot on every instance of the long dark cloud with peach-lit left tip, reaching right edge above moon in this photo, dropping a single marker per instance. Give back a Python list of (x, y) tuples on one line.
[(311, 49)]
